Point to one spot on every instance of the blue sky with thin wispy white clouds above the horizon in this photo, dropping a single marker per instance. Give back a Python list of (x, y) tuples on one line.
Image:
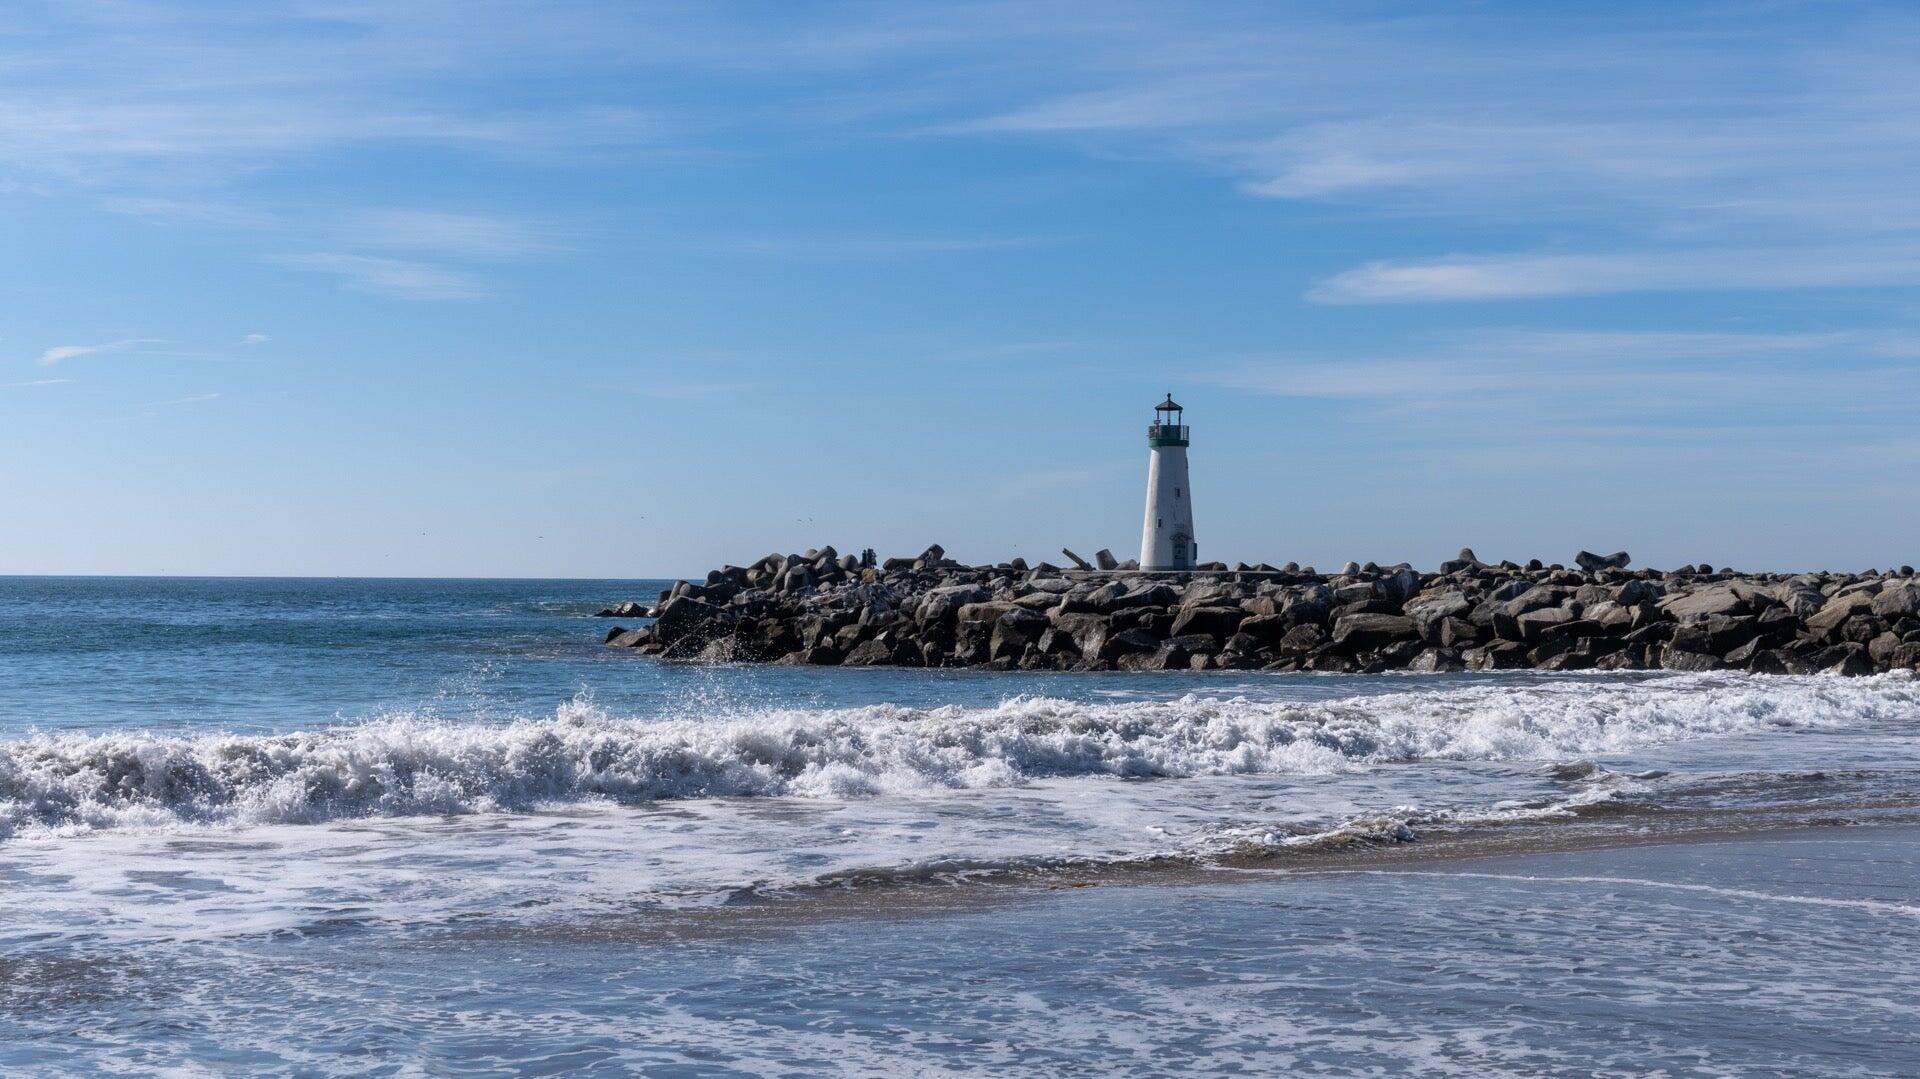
[(640, 289)]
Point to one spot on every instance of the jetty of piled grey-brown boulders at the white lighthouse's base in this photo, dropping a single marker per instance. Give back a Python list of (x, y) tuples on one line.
[(823, 608)]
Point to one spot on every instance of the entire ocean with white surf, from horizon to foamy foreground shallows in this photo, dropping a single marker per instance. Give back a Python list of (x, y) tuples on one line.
[(435, 828)]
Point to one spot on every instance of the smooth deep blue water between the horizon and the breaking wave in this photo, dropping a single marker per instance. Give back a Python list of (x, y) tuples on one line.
[(287, 654)]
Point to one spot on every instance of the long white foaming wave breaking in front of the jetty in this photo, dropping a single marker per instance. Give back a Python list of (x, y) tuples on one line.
[(414, 765)]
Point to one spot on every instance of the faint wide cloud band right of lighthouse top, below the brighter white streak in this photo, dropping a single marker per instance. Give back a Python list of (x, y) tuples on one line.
[(1539, 391)]
